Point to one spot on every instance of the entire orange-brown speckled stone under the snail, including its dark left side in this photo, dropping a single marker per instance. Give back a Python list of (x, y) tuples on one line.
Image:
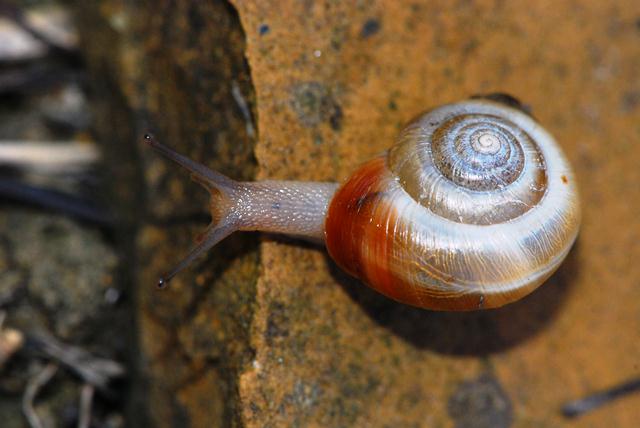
[(266, 331)]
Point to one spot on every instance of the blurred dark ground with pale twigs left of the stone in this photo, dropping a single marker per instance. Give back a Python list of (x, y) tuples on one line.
[(65, 312)]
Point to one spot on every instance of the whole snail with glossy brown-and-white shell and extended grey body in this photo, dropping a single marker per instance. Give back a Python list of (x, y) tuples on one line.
[(473, 208)]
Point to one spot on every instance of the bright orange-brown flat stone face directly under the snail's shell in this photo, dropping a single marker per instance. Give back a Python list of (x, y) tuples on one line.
[(343, 356)]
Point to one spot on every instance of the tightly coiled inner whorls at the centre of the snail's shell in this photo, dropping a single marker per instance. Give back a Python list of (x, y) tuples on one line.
[(473, 167)]
